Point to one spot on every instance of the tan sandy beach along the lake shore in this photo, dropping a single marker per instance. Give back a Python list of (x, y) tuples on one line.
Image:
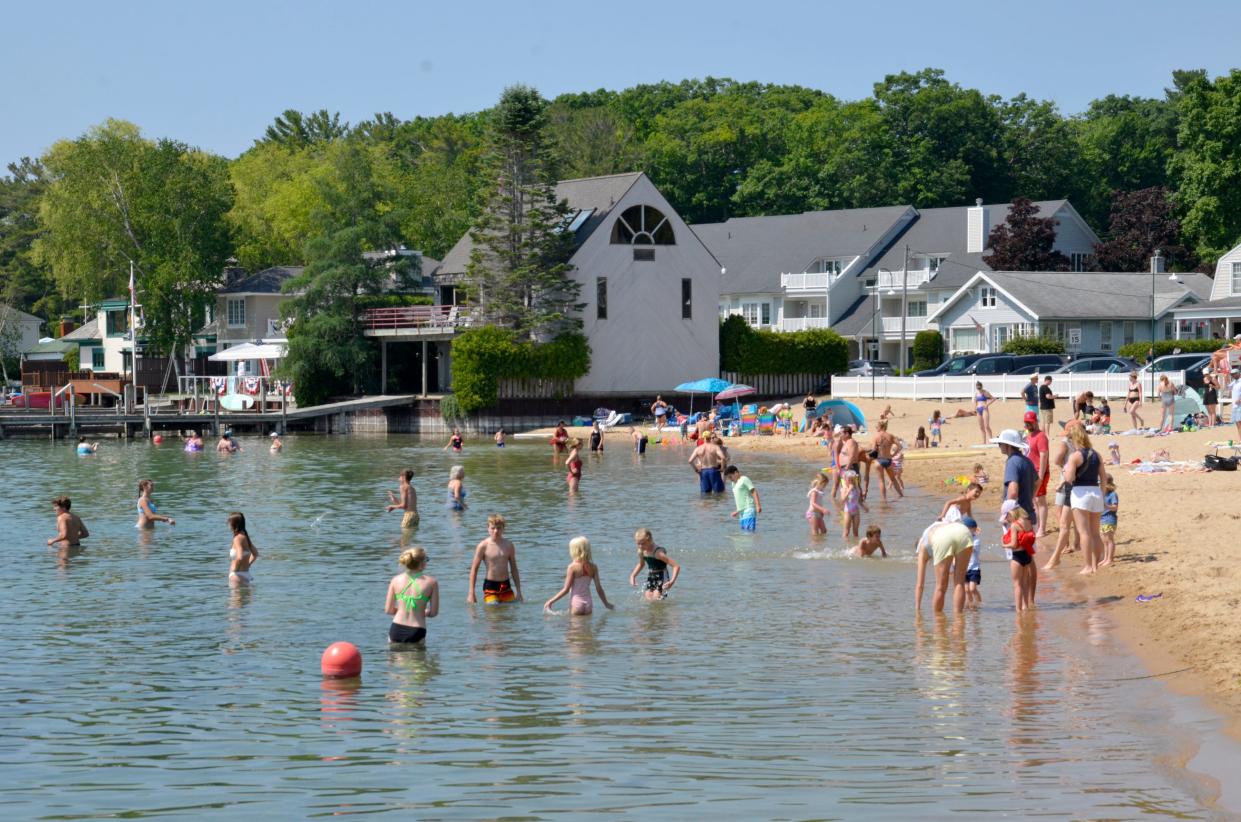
[(1172, 541)]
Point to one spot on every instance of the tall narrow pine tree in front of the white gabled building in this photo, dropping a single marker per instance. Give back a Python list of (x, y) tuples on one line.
[(519, 266)]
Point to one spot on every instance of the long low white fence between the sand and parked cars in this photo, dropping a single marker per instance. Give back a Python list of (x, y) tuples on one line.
[(1003, 387)]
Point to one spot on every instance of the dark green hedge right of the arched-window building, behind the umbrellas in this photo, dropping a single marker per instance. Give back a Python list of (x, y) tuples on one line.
[(754, 352)]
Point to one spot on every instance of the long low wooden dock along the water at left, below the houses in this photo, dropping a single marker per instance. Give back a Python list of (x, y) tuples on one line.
[(91, 422)]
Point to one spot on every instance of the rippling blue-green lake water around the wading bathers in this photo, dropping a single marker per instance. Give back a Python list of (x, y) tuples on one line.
[(780, 680)]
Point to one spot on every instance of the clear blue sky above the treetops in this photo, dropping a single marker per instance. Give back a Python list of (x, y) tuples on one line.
[(215, 74)]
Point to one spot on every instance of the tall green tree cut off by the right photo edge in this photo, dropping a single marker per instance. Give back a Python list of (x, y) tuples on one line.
[(1208, 163)]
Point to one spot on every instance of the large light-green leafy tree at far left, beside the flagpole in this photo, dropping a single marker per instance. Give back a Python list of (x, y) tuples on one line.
[(117, 199)]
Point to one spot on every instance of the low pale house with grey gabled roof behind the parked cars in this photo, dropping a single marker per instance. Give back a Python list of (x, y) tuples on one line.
[(1093, 312)]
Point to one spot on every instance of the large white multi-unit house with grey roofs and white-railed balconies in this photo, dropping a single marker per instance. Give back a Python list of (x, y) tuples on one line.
[(861, 271)]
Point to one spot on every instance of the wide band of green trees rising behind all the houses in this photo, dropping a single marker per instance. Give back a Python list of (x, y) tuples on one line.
[(1141, 171)]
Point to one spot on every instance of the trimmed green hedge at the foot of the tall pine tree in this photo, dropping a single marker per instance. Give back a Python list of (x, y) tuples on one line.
[(483, 356)]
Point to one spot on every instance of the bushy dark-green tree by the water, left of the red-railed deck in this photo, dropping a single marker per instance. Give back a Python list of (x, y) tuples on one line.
[(328, 353)]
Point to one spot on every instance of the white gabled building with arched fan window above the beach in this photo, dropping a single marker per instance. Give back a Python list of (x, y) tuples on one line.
[(650, 286)]
